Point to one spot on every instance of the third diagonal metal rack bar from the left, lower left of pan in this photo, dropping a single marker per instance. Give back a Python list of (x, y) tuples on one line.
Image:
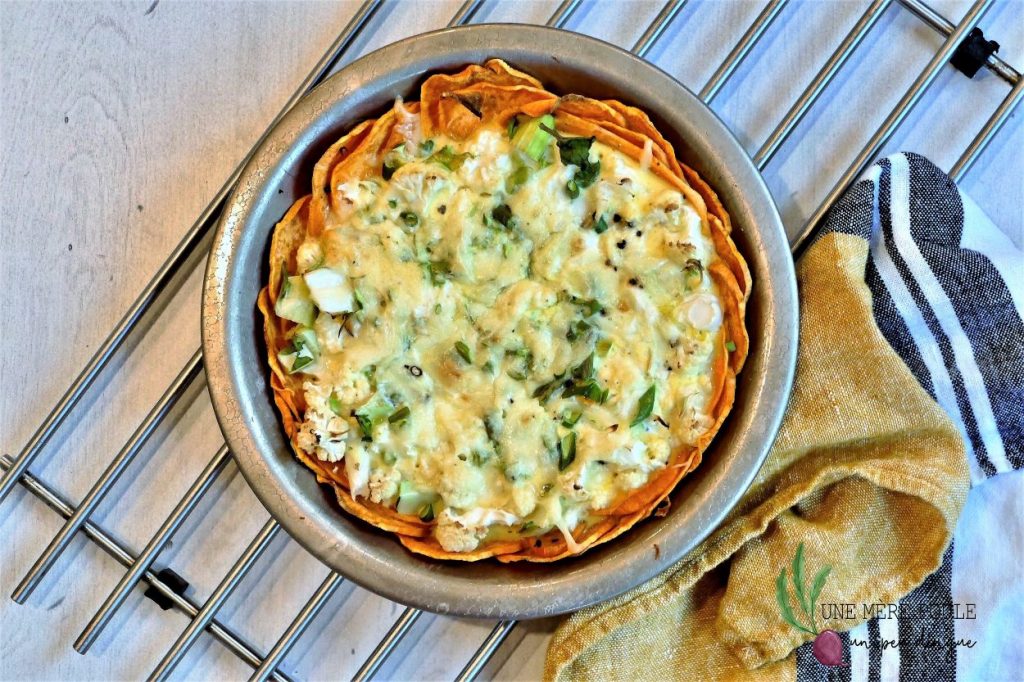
[(153, 548)]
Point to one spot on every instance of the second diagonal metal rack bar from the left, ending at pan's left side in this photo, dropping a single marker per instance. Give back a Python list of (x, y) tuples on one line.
[(109, 478)]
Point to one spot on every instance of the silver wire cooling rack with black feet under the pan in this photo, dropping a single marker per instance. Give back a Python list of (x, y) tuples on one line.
[(961, 44)]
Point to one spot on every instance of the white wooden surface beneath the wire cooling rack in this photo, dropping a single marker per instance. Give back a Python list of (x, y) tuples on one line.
[(121, 121)]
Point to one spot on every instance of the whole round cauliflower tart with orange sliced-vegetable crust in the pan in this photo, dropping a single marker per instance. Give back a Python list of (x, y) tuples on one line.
[(504, 323)]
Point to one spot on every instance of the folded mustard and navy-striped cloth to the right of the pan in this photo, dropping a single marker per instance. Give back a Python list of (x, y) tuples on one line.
[(909, 383)]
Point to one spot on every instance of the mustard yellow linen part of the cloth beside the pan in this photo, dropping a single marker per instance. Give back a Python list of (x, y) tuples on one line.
[(869, 474)]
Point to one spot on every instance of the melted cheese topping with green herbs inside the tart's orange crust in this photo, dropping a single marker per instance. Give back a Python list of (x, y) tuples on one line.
[(484, 300)]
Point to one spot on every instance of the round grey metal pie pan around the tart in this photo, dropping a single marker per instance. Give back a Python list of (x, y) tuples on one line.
[(235, 354)]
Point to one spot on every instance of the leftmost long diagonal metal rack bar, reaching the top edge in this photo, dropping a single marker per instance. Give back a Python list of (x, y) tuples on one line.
[(183, 252)]
